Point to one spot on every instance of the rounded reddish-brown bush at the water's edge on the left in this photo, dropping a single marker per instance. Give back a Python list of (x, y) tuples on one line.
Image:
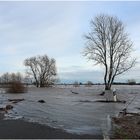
[(16, 87)]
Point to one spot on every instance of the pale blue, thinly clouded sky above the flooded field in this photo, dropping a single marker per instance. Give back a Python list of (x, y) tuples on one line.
[(57, 29)]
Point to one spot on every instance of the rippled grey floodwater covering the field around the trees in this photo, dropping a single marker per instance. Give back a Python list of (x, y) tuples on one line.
[(75, 113)]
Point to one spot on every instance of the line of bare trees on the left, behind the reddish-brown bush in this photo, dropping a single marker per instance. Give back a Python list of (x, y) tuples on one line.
[(40, 68)]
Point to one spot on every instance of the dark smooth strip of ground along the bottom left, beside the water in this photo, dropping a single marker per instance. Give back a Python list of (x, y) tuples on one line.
[(19, 129)]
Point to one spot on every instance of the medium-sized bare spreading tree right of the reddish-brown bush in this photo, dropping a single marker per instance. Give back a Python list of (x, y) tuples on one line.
[(43, 70)]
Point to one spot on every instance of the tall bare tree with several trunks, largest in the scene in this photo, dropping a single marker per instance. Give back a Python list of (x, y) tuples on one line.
[(109, 45)]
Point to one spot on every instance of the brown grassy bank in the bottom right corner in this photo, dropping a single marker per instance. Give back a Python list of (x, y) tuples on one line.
[(127, 126)]
